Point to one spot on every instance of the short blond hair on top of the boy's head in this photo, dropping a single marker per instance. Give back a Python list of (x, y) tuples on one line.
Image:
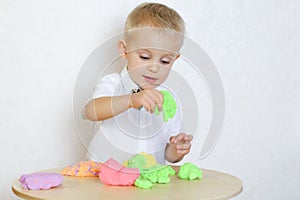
[(154, 15)]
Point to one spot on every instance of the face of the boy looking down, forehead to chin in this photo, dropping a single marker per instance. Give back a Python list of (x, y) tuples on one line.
[(150, 58)]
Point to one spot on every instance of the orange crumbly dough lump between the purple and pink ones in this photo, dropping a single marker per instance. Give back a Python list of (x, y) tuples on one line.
[(83, 169)]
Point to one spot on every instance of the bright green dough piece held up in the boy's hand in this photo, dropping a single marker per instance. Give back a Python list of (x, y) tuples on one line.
[(169, 106)]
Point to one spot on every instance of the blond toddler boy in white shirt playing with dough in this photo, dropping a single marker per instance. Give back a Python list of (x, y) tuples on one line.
[(152, 39)]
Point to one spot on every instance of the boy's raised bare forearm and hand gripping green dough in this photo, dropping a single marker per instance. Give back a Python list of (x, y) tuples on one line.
[(103, 108)]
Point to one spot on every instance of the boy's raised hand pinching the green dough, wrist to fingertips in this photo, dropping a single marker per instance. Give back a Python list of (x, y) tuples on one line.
[(147, 98)]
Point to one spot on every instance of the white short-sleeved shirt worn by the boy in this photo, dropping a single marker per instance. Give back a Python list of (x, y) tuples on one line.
[(134, 130)]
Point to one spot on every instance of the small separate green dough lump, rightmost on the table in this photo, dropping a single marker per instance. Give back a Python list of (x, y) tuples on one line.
[(189, 171)]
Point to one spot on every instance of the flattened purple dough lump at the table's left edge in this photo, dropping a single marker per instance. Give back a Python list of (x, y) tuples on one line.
[(40, 181)]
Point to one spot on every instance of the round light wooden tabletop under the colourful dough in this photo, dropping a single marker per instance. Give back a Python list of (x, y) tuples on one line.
[(213, 185)]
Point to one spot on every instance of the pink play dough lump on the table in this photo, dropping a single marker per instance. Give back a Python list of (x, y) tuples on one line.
[(113, 173)]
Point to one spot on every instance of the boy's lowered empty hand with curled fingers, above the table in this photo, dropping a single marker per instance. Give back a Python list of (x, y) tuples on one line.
[(178, 147)]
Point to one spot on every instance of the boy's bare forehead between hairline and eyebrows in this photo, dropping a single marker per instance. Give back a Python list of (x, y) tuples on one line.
[(154, 39)]
